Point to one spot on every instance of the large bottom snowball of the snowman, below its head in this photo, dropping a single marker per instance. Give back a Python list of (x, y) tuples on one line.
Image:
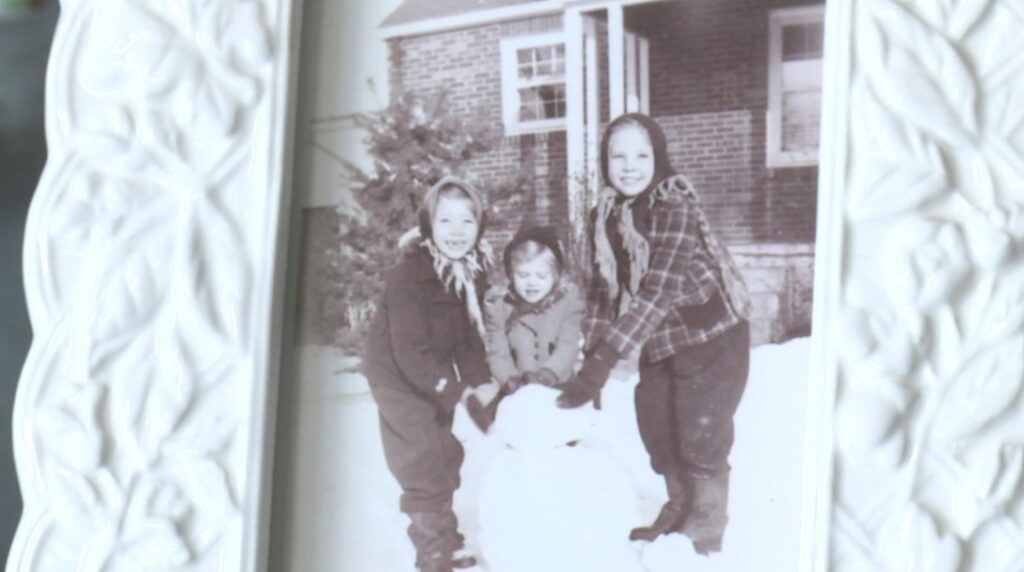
[(558, 510)]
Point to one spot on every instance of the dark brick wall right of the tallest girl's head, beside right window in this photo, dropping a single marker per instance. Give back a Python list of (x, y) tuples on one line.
[(709, 91)]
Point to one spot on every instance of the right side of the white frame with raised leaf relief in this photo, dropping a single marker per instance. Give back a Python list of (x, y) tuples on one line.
[(929, 423)]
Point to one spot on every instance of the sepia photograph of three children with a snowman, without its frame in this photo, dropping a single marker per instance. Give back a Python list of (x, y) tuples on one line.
[(550, 288)]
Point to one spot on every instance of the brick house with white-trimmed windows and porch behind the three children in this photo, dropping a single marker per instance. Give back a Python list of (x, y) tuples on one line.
[(736, 84)]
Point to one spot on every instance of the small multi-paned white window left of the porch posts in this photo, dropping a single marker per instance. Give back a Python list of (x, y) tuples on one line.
[(534, 84)]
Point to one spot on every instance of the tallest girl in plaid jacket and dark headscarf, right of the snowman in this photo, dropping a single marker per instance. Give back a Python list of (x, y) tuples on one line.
[(663, 283)]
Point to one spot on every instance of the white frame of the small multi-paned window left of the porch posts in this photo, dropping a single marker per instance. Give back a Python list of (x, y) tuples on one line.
[(511, 85)]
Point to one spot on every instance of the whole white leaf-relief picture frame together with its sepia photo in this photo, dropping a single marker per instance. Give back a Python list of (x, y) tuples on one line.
[(229, 183)]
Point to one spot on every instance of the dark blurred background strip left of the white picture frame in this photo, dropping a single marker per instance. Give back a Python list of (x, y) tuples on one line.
[(26, 31)]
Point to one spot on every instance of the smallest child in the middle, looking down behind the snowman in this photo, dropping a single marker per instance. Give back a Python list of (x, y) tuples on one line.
[(533, 327)]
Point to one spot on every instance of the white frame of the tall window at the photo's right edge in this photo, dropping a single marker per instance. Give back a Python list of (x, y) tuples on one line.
[(778, 20)]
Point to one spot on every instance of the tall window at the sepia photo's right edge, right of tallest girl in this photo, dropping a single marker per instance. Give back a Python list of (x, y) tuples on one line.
[(795, 49)]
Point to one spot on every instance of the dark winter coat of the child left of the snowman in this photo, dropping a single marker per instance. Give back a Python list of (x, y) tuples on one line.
[(421, 340)]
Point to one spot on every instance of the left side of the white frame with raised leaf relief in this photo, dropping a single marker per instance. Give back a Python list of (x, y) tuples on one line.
[(140, 414)]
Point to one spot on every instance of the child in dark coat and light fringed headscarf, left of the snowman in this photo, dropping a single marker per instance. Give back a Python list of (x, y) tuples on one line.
[(425, 347)]
